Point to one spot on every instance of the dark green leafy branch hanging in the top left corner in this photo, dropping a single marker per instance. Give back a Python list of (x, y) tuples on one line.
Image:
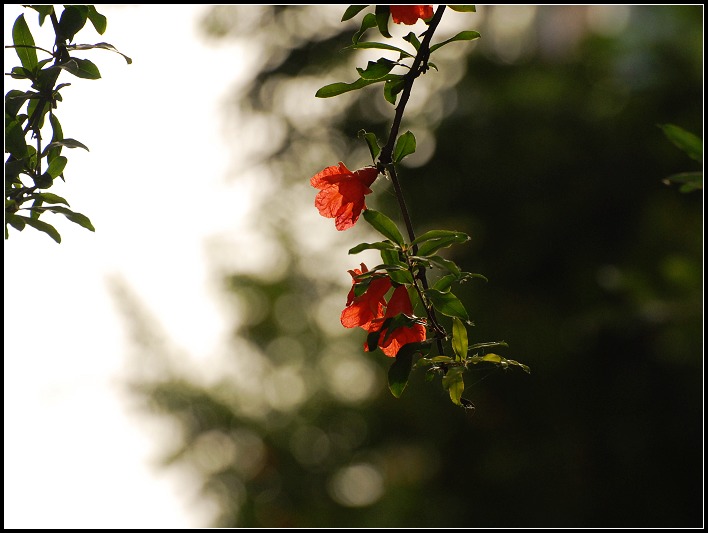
[(31, 166)]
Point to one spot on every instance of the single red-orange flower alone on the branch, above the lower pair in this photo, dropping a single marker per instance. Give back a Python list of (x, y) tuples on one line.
[(342, 191)]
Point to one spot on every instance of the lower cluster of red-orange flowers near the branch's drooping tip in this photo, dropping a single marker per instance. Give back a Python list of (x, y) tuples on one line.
[(370, 310)]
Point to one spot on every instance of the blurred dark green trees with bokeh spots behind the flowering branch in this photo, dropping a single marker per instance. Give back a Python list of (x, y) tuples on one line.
[(543, 145)]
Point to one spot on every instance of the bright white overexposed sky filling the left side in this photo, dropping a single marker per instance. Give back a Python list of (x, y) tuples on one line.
[(75, 456)]
